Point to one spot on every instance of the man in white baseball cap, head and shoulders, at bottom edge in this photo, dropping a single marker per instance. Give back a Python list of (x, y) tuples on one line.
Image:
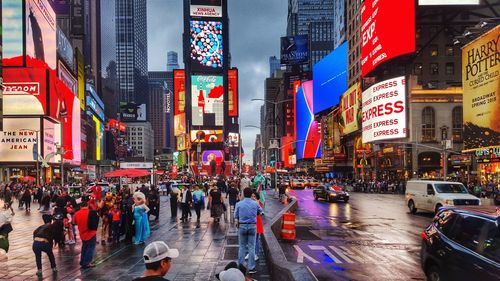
[(157, 259)]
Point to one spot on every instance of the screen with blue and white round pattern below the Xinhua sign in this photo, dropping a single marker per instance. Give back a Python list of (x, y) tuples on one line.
[(206, 46)]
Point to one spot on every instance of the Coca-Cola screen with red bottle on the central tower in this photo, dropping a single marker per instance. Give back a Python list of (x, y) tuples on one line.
[(207, 100)]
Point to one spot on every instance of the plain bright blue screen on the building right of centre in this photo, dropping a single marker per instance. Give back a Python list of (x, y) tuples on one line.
[(330, 79)]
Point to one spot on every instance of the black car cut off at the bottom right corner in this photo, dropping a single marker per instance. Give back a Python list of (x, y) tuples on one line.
[(462, 244)]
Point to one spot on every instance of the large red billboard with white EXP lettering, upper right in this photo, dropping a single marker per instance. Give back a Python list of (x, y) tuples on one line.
[(387, 31)]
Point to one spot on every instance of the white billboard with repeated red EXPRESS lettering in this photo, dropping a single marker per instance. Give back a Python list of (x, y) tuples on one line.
[(384, 110)]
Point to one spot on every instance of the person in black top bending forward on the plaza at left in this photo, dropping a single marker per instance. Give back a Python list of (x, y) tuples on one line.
[(44, 238)]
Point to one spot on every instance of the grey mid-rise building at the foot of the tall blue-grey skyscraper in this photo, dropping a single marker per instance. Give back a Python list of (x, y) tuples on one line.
[(140, 138)]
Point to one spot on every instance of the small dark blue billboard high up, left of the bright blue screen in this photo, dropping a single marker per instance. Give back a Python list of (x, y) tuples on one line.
[(294, 49)]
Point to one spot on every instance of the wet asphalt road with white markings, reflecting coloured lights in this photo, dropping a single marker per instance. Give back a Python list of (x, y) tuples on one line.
[(372, 237)]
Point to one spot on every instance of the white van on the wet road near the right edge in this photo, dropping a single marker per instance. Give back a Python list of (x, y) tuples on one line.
[(432, 195)]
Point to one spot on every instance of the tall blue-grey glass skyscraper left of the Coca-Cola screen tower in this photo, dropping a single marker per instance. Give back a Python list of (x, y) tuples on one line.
[(131, 50)]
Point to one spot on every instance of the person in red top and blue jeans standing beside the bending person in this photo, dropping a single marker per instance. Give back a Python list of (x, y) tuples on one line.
[(87, 222)]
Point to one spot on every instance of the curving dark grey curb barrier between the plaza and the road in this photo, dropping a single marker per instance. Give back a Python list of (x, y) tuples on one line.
[(281, 269)]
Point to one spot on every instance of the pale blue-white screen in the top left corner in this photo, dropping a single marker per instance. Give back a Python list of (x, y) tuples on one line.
[(12, 29)]
